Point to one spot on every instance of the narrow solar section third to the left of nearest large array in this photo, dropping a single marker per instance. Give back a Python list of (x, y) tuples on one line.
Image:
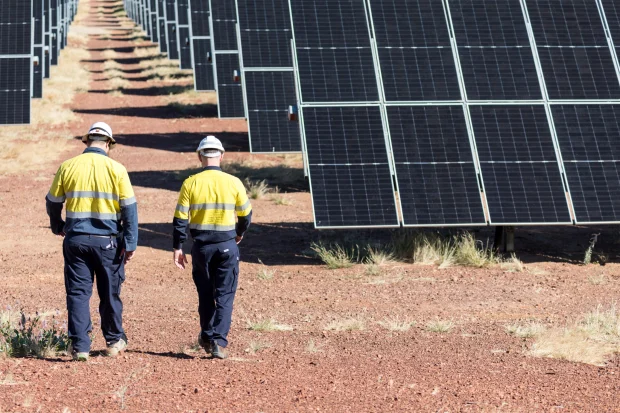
[(202, 52)]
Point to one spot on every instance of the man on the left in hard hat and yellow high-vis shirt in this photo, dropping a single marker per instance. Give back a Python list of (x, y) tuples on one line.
[(100, 237)]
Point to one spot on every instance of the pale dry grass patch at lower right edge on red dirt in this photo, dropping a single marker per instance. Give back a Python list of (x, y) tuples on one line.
[(592, 339)]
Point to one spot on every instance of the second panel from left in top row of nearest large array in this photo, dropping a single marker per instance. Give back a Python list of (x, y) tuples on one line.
[(414, 50)]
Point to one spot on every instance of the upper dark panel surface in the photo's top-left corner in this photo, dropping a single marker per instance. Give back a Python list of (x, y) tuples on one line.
[(15, 27)]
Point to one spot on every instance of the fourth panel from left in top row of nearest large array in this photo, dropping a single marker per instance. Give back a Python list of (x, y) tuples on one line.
[(574, 54)]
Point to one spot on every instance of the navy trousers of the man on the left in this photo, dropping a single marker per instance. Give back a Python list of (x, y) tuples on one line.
[(86, 256)]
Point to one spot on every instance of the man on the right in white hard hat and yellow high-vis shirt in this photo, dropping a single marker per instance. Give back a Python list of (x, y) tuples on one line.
[(208, 202)]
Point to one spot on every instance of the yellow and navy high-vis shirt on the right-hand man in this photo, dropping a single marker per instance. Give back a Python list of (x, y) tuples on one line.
[(215, 205)]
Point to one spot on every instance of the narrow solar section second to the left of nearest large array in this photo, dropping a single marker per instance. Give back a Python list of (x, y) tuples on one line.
[(226, 59)]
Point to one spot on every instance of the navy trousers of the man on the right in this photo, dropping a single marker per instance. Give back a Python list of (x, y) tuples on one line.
[(215, 269)]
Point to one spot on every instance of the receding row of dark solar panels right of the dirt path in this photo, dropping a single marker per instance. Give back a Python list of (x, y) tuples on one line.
[(424, 112)]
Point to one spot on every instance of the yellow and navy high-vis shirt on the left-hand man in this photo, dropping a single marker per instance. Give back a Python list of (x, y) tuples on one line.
[(99, 198)]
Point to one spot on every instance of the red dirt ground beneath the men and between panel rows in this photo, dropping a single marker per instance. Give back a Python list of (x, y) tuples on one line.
[(476, 367)]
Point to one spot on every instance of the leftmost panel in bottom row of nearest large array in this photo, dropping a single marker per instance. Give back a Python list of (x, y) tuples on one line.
[(349, 171)]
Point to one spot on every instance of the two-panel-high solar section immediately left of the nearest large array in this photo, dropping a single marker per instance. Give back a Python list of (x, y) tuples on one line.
[(268, 74)]
